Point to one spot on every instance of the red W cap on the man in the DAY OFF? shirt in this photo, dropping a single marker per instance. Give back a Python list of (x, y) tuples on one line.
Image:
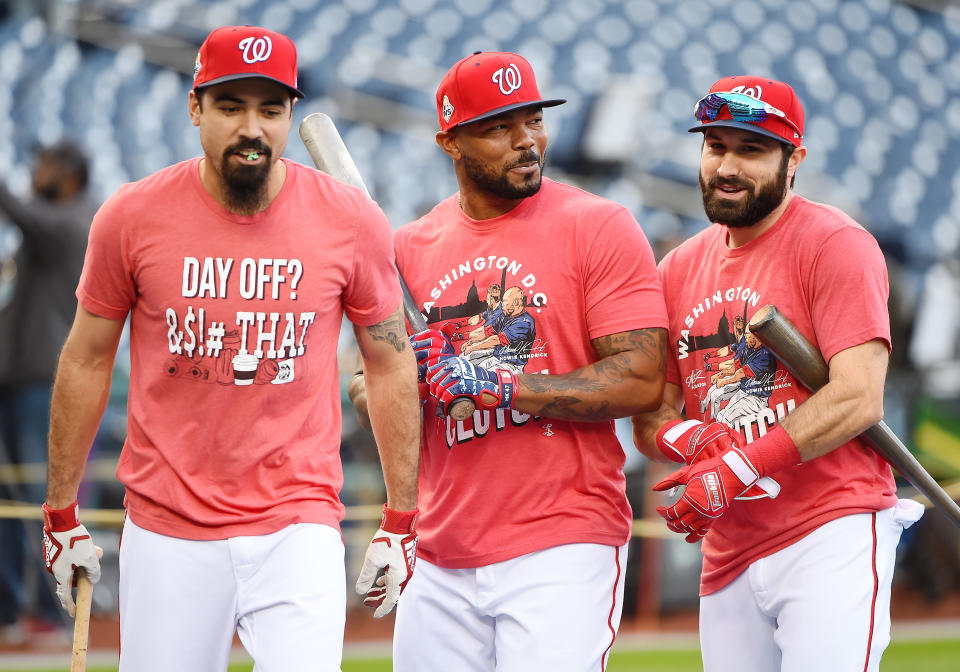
[(236, 52)]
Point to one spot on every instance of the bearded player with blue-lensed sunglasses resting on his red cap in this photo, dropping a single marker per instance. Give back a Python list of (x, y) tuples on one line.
[(799, 519)]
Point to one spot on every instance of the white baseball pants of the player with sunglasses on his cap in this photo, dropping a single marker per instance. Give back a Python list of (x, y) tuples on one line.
[(822, 603)]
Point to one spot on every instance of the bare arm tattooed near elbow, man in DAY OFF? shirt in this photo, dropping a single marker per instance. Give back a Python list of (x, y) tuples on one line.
[(390, 380)]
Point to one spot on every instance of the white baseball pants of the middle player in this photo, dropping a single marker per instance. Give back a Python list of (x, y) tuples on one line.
[(557, 609)]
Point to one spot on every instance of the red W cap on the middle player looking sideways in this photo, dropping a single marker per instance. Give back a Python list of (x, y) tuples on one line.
[(485, 84)]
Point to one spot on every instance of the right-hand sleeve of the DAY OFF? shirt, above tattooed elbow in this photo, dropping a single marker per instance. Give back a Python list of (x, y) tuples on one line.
[(373, 291)]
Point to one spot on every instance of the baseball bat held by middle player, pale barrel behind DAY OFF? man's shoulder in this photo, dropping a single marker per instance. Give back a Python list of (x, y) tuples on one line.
[(330, 154)]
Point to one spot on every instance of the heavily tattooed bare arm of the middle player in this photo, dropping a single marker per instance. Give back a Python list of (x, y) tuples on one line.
[(628, 379)]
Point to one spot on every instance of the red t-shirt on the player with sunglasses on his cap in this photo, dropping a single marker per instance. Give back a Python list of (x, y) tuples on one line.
[(825, 274)]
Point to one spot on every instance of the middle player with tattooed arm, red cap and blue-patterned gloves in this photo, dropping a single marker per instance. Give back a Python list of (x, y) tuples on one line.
[(525, 522)]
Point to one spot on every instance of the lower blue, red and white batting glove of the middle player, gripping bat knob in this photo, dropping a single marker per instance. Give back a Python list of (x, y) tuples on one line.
[(455, 377)]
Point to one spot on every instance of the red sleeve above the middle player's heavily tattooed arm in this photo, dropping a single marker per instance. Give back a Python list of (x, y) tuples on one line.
[(621, 287)]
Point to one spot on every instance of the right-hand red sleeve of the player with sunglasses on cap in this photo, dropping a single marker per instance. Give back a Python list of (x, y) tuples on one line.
[(849, 291)]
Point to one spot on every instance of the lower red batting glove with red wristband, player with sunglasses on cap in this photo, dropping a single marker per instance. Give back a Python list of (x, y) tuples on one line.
[(712, 483)]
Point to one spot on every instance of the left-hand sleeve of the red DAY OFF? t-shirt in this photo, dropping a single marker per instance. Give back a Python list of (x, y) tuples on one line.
[(107, 286)]
